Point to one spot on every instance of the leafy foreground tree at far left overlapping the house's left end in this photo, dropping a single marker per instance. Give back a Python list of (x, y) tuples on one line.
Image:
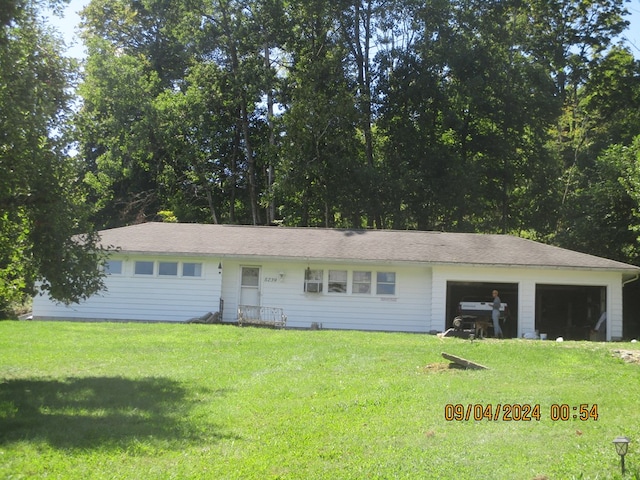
[(41, 206)]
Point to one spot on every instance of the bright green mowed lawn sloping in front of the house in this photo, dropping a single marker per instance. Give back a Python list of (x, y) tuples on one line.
[(162, 401)]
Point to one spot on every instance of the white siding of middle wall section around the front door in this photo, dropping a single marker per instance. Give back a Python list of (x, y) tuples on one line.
[(281, 288)]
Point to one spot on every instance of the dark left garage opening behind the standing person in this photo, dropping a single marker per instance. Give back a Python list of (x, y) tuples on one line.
[(458, 291)]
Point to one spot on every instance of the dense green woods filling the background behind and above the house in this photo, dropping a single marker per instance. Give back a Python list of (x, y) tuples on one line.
[(457, 115)]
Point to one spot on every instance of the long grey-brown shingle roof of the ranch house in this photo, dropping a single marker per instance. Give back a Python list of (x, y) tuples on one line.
[(355, 245)]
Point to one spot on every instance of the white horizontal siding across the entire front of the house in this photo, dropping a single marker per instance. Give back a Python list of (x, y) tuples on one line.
[(418, 302)]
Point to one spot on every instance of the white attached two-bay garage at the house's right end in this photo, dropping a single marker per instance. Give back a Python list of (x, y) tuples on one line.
[(559, 301)]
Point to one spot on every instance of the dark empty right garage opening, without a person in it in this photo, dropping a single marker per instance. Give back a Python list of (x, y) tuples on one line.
[(570, 311)]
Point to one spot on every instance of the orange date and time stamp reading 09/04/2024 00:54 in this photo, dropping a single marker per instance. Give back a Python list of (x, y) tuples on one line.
[(519, 412)]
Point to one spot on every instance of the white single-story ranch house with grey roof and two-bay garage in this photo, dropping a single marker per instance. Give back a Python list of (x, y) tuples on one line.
[(409, 281)]
